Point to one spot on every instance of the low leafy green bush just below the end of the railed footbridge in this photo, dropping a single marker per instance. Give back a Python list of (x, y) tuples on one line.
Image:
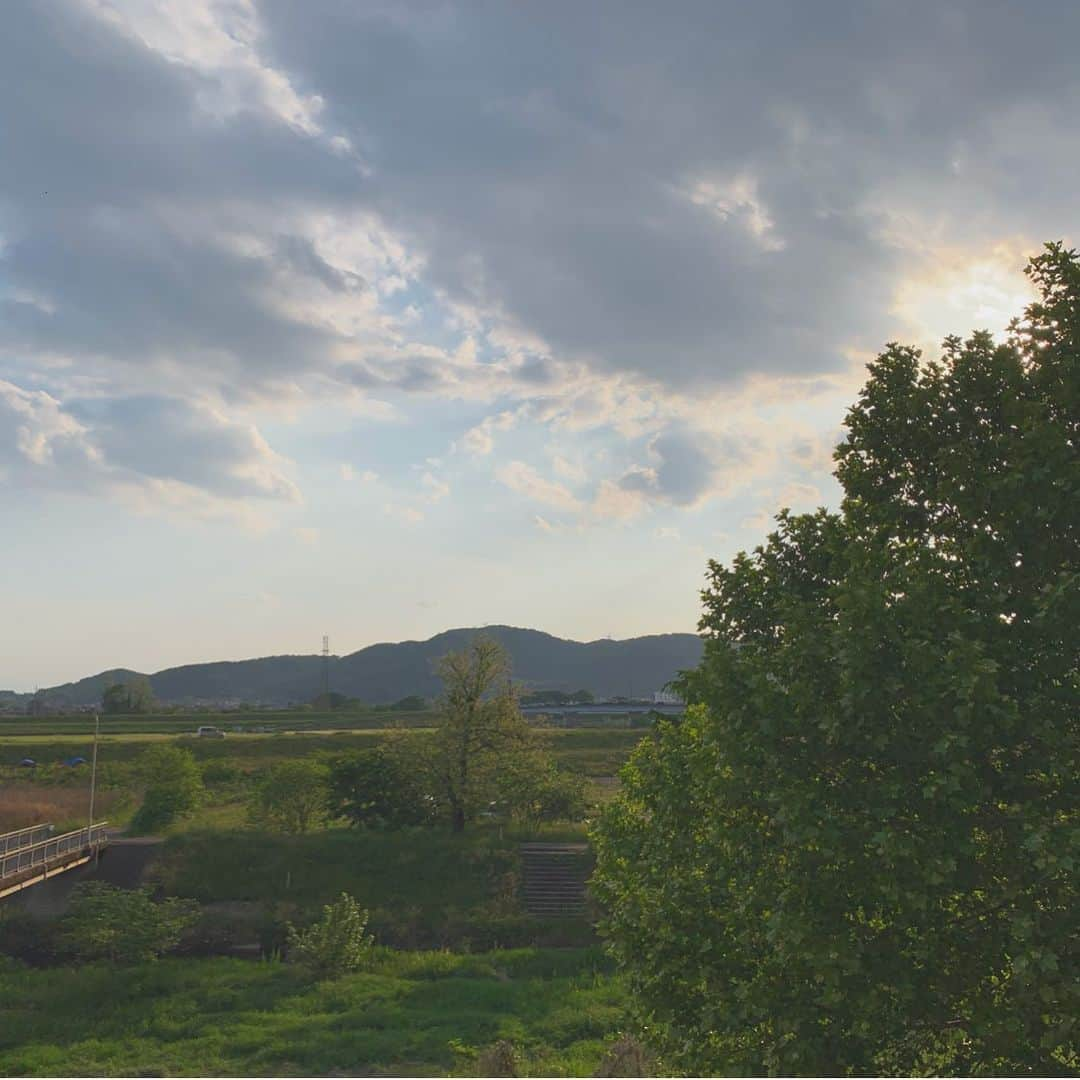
[(123, 926)]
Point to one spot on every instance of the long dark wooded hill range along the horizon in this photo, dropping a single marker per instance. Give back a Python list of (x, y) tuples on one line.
[(386, 673)]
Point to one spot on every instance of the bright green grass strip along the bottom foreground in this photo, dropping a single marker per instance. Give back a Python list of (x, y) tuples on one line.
[(415, 1015)]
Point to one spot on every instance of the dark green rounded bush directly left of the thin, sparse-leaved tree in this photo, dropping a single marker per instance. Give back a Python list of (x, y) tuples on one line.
[(381, 789)]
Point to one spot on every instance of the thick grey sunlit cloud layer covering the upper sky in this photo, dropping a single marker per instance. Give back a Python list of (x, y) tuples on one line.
[(656, 240)]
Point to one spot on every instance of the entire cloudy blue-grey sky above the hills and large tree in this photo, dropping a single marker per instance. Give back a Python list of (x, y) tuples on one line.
[(373, 319)]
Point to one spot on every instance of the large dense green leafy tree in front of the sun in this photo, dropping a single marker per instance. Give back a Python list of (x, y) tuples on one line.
[(859, 853)]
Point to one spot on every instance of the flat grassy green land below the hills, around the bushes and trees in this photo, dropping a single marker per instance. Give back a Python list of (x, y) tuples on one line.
[(460, 965)]
